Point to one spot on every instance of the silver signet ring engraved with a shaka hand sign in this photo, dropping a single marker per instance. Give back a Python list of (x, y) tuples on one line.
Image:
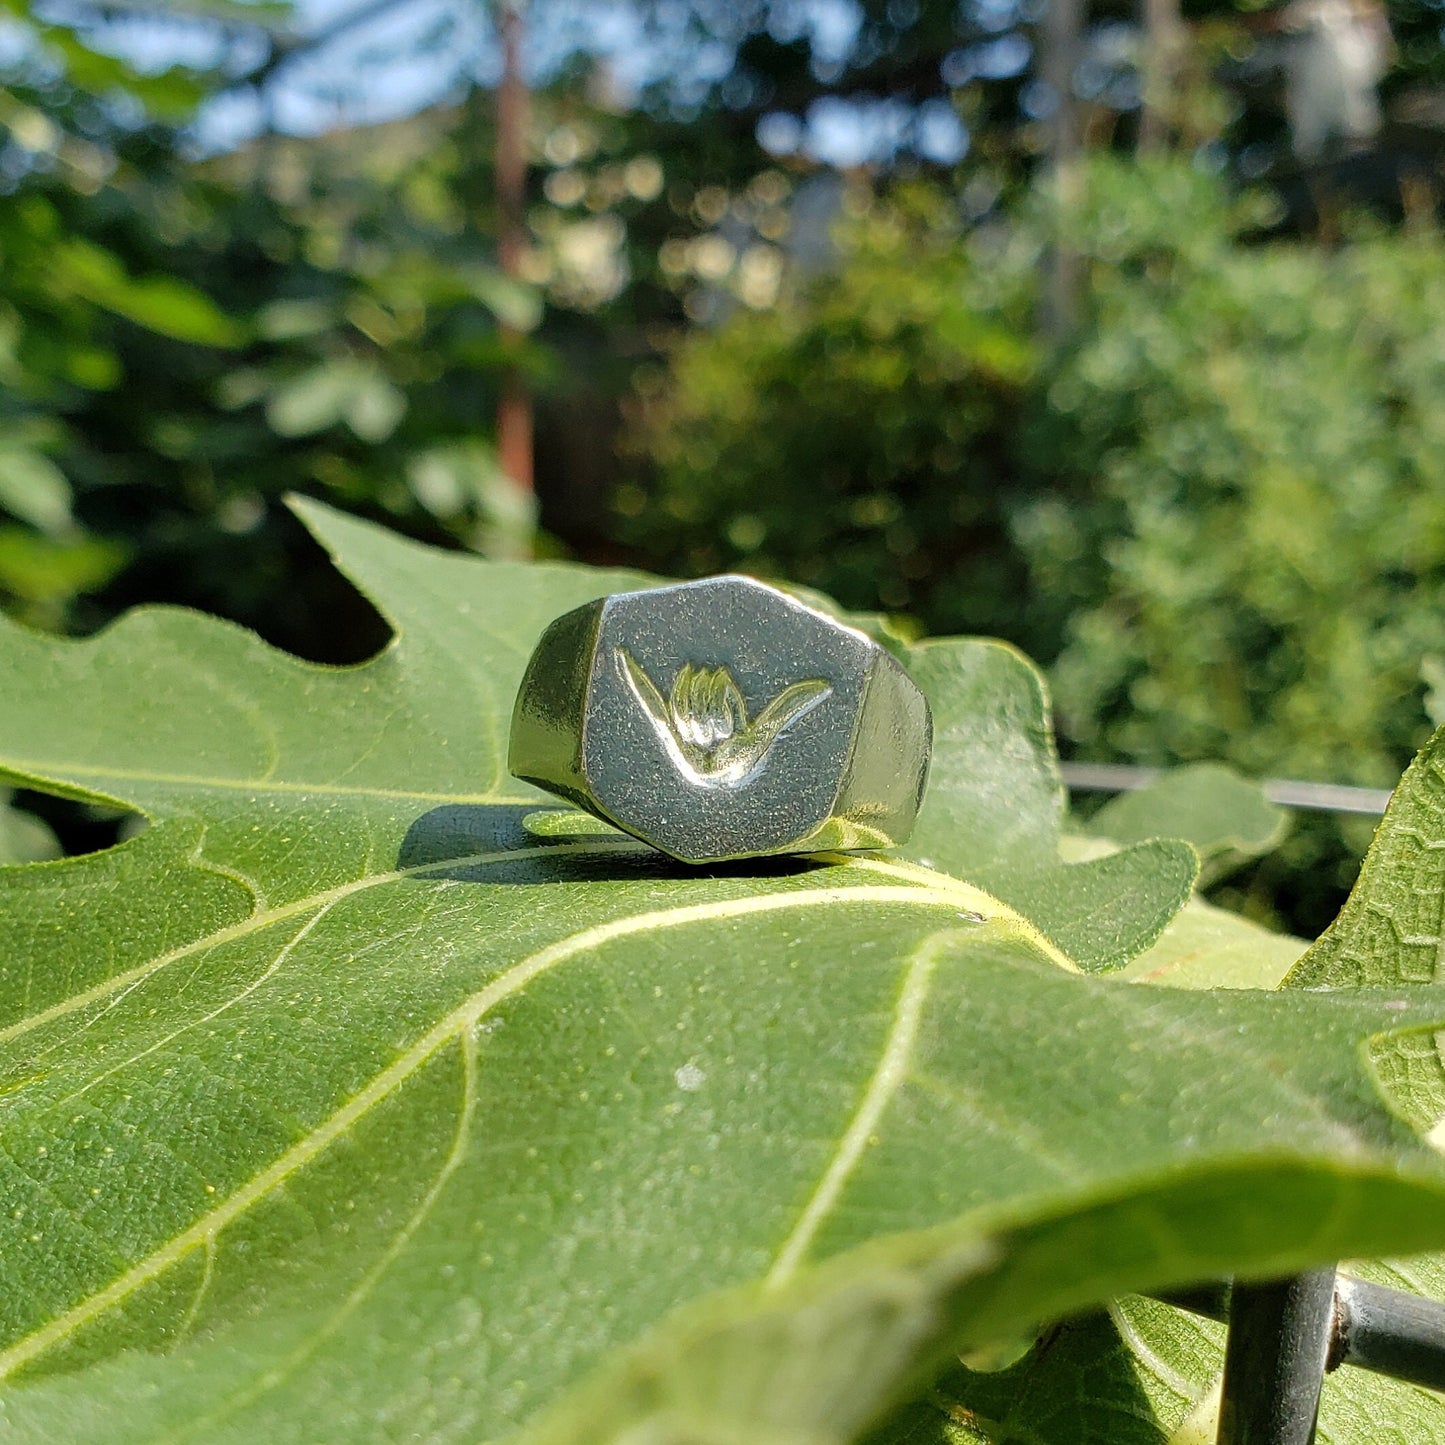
[(722, 720)]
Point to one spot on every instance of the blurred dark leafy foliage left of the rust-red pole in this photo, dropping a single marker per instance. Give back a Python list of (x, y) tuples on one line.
[(184, 342)]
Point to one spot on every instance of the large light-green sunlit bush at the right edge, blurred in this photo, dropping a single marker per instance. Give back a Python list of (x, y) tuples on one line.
[(1248, 527)]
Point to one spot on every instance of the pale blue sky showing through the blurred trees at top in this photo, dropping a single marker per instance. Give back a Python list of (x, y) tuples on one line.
[(417, 54)]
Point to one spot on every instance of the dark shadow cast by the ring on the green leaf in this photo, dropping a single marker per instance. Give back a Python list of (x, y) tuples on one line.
[(452, 833)]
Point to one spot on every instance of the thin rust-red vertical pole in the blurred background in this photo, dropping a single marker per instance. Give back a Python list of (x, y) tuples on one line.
[(515, 407)]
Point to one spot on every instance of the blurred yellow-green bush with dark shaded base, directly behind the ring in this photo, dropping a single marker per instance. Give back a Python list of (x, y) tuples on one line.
[(850, 439)]
